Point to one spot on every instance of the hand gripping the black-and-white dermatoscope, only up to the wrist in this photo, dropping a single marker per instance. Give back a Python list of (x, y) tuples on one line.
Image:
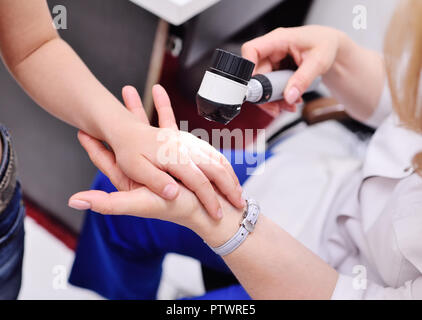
[(313, 48)]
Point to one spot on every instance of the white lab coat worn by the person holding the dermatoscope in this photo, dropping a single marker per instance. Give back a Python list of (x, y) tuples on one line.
[(356, 205)]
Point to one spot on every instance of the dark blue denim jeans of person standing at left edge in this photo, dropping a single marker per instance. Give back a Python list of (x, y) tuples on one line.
[(12, 214)]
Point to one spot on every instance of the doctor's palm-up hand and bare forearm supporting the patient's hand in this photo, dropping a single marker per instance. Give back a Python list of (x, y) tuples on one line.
[(285, 271)]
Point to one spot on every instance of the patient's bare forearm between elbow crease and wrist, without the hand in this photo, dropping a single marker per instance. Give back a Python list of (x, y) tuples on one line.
[(56, 78)]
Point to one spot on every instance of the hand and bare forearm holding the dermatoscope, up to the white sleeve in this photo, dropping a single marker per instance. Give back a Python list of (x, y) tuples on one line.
[(354, 75)]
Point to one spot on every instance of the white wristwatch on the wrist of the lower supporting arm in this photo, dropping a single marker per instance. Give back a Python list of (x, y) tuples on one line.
[(247, 226)]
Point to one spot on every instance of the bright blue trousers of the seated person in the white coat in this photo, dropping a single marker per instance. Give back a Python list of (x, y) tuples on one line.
[(120, 257)]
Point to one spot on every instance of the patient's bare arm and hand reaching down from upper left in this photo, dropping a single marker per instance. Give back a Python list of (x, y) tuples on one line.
[(55, 77)]
